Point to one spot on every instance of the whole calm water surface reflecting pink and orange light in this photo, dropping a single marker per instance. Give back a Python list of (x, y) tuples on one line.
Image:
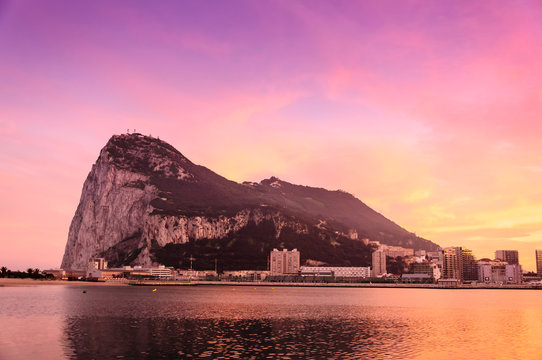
[(215, 322)]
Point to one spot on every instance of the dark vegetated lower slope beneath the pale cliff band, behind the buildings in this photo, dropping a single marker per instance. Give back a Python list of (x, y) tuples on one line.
[(250, 247)]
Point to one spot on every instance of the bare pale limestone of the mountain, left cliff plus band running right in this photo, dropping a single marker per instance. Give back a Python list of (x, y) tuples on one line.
[(115, 207)]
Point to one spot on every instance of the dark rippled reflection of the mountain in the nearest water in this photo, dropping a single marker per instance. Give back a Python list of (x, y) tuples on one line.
[(235, 339)]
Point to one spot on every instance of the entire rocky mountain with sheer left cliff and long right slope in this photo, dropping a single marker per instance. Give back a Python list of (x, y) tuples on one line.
[(143, 202)]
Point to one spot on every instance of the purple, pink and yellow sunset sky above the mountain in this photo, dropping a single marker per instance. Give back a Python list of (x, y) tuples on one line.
[(427, 111)]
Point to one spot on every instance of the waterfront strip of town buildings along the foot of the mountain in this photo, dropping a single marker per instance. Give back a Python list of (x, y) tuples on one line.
[(451, 267)]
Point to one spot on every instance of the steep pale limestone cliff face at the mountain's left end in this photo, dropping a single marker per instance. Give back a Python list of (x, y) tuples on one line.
[(115, 204)]
